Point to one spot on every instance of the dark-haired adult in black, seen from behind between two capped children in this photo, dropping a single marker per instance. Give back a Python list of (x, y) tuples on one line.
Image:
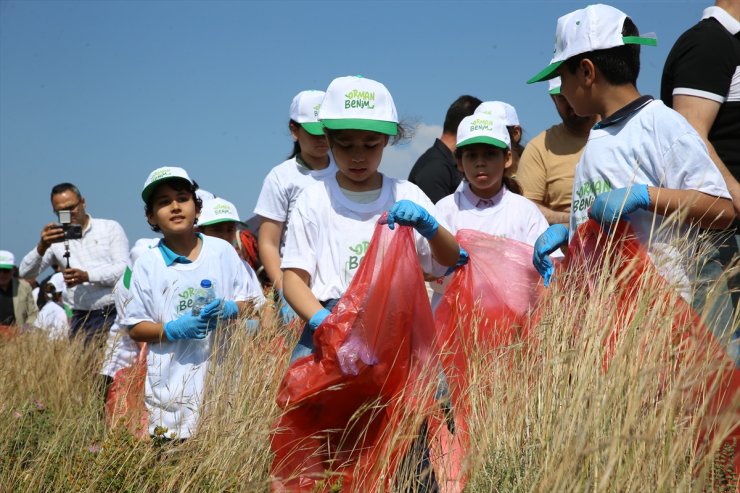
[(435, 172)]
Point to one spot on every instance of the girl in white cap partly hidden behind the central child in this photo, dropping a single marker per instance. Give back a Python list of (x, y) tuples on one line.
[(310, 162)]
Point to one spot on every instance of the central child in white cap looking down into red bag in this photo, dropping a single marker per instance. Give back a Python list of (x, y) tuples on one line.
[(333, 220)]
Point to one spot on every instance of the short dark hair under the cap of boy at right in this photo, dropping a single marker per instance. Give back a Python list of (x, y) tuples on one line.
[(619, 65)]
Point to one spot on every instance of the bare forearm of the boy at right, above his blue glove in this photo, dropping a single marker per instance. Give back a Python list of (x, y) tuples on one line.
[(707, 211)]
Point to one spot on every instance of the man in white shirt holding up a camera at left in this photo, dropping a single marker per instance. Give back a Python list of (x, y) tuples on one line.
[(93, 254)]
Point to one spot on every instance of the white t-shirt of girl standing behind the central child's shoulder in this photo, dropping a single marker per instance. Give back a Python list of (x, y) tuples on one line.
[(282, 186)]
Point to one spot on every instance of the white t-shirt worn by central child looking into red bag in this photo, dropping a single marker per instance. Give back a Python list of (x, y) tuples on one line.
[(330, 233)]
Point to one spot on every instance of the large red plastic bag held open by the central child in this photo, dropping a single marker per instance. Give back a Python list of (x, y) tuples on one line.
[(355, 430)]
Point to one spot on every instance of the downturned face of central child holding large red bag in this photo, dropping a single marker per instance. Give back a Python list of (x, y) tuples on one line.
[(358, 154)]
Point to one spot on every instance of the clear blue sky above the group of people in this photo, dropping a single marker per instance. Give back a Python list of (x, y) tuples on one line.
[(99, 93)]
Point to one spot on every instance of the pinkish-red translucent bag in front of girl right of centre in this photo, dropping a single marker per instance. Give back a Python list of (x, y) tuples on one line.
[(486, 307)]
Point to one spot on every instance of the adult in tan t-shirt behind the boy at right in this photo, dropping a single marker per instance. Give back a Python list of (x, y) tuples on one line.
[(548, 163)]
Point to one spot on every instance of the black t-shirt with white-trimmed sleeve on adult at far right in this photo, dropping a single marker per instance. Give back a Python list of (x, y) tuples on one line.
[(706, 58)]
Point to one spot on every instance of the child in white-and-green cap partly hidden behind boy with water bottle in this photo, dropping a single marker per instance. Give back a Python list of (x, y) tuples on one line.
[(219, 219)]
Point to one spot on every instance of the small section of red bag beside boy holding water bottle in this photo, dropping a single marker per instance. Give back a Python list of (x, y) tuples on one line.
[(124, 405)]
